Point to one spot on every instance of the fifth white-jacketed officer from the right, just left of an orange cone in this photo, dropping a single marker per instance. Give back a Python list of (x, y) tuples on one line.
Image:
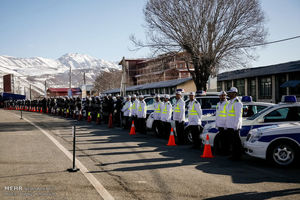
[(166, 115)]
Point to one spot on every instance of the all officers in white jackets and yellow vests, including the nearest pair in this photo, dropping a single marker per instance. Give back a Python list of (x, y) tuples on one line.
[(228, 119)]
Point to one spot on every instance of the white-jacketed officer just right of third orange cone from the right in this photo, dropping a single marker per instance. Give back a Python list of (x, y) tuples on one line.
[(141, 115)]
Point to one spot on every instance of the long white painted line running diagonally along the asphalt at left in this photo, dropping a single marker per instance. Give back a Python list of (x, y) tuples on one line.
[(97, 185)]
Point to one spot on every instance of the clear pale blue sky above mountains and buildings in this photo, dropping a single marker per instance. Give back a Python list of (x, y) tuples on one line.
[(101, 28)]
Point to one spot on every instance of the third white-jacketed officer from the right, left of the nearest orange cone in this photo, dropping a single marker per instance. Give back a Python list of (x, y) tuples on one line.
[(194, 117)]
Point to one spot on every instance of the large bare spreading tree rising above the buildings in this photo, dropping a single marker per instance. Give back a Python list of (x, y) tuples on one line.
[(215, 34)]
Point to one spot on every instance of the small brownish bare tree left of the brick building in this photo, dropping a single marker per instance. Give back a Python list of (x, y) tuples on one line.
[(108, 80)]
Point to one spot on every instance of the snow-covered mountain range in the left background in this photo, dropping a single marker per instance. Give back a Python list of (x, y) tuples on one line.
[(35, 71)]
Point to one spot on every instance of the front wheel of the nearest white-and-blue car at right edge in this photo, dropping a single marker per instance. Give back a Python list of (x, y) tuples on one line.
[(282, 154)]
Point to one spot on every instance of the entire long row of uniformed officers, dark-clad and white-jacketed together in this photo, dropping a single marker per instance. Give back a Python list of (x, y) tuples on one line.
[(133, 109)]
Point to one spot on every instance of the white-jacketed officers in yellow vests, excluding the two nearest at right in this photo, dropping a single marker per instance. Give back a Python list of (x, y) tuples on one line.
[(137, 109)]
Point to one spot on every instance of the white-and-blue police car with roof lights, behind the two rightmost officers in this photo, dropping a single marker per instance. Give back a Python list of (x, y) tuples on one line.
[(286, 111)]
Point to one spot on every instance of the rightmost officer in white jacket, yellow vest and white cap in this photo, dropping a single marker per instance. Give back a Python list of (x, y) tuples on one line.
[(234, 111)]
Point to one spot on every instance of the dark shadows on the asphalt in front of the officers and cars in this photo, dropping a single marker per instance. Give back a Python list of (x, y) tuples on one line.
[(246, 171)]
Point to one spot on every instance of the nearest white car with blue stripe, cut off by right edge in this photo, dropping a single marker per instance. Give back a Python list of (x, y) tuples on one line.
[(279, 144)]
